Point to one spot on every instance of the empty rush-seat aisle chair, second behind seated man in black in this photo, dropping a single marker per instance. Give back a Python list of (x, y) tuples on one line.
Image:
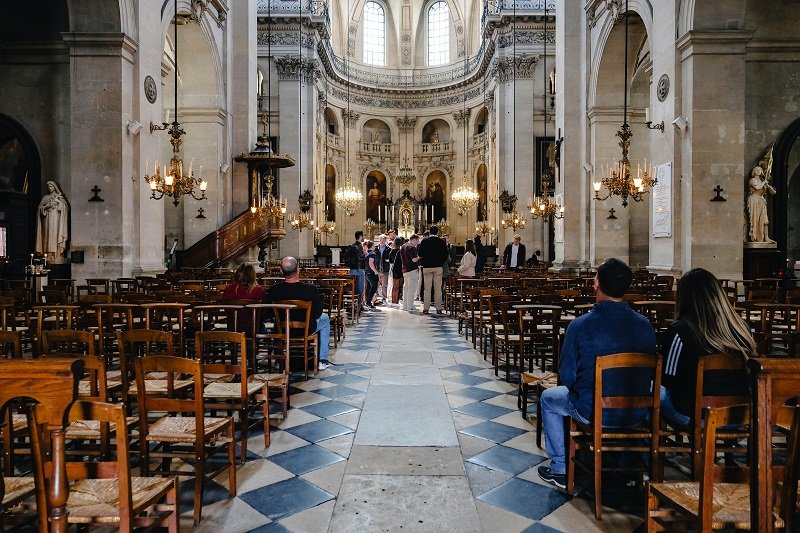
[(241, 395)]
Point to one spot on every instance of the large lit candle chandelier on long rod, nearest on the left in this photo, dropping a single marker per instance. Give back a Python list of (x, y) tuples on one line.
[(173, 182)]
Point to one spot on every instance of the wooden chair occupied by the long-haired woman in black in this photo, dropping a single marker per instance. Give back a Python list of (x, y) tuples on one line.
[(673, 435)]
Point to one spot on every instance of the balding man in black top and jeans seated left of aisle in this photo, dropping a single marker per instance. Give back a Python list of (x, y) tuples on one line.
[(292, 289)]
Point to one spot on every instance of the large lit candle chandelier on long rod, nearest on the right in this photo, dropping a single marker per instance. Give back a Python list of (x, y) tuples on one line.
[(618, 180)]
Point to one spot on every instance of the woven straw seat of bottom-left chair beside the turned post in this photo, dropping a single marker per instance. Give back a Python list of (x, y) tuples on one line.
[(97, 500)]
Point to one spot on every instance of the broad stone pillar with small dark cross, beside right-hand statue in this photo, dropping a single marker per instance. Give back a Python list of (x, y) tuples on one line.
[(713, 147)]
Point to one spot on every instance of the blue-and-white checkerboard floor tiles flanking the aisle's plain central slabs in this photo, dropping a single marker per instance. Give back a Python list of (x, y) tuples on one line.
[(293, 485)]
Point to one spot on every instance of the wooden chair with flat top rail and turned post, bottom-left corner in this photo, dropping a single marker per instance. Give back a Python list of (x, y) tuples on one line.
[(53, 384)]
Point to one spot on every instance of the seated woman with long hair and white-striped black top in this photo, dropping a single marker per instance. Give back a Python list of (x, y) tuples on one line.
[(705, 323)]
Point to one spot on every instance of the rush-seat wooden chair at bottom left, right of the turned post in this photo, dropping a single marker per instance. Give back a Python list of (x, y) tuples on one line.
[(104, 492)]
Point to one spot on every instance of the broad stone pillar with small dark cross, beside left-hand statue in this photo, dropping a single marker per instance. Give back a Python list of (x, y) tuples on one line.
[(101, 69)]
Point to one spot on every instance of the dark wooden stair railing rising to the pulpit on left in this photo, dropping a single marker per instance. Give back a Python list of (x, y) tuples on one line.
[(231, 240)]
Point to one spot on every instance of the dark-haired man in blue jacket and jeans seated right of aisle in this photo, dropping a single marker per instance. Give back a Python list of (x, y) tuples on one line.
[(610, 327)]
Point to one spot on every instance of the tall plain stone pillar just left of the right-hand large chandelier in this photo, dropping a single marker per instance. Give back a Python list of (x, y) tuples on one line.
[(574, 184)]
